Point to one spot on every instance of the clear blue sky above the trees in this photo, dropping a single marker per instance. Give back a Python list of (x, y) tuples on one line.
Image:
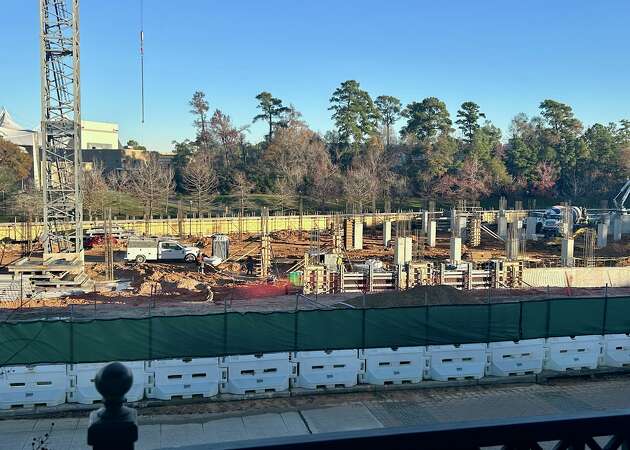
[(505, 55)]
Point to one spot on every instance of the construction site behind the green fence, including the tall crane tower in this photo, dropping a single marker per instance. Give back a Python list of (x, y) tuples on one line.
[(237, 259)]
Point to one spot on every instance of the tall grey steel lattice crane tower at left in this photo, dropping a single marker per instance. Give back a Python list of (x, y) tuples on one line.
[(61, 126)]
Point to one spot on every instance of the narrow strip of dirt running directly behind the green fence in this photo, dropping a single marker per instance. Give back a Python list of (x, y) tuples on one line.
[(145, 306)]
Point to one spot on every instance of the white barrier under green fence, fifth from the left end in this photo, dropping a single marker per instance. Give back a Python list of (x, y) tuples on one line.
[(327, 369)]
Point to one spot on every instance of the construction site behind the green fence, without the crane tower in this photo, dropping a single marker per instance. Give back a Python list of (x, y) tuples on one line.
[(496, 253)]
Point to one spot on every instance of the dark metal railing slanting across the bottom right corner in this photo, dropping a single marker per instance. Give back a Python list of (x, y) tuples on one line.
[(564, 432)]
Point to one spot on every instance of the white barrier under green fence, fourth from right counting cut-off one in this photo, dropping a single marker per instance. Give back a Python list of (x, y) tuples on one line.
[(456, 362)]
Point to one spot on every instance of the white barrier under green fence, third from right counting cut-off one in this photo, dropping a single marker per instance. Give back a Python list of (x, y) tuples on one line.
[(511, 358)]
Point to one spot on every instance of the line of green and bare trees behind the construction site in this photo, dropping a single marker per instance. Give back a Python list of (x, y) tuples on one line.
[(378, 149)]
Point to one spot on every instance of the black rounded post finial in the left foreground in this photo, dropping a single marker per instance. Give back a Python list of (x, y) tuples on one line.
[(113, 425)]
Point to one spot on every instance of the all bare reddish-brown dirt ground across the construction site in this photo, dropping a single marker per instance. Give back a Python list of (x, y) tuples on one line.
[(179, 288)]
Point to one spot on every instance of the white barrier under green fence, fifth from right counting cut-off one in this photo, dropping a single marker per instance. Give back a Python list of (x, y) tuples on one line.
[(398, 365)]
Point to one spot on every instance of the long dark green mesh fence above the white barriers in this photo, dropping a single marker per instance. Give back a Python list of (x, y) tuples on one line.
[(98, 340)]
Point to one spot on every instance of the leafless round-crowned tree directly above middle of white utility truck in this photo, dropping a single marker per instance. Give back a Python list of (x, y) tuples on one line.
[(151, 183)]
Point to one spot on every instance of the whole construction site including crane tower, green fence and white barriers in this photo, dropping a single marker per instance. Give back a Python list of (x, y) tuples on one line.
[(235, 307)]
